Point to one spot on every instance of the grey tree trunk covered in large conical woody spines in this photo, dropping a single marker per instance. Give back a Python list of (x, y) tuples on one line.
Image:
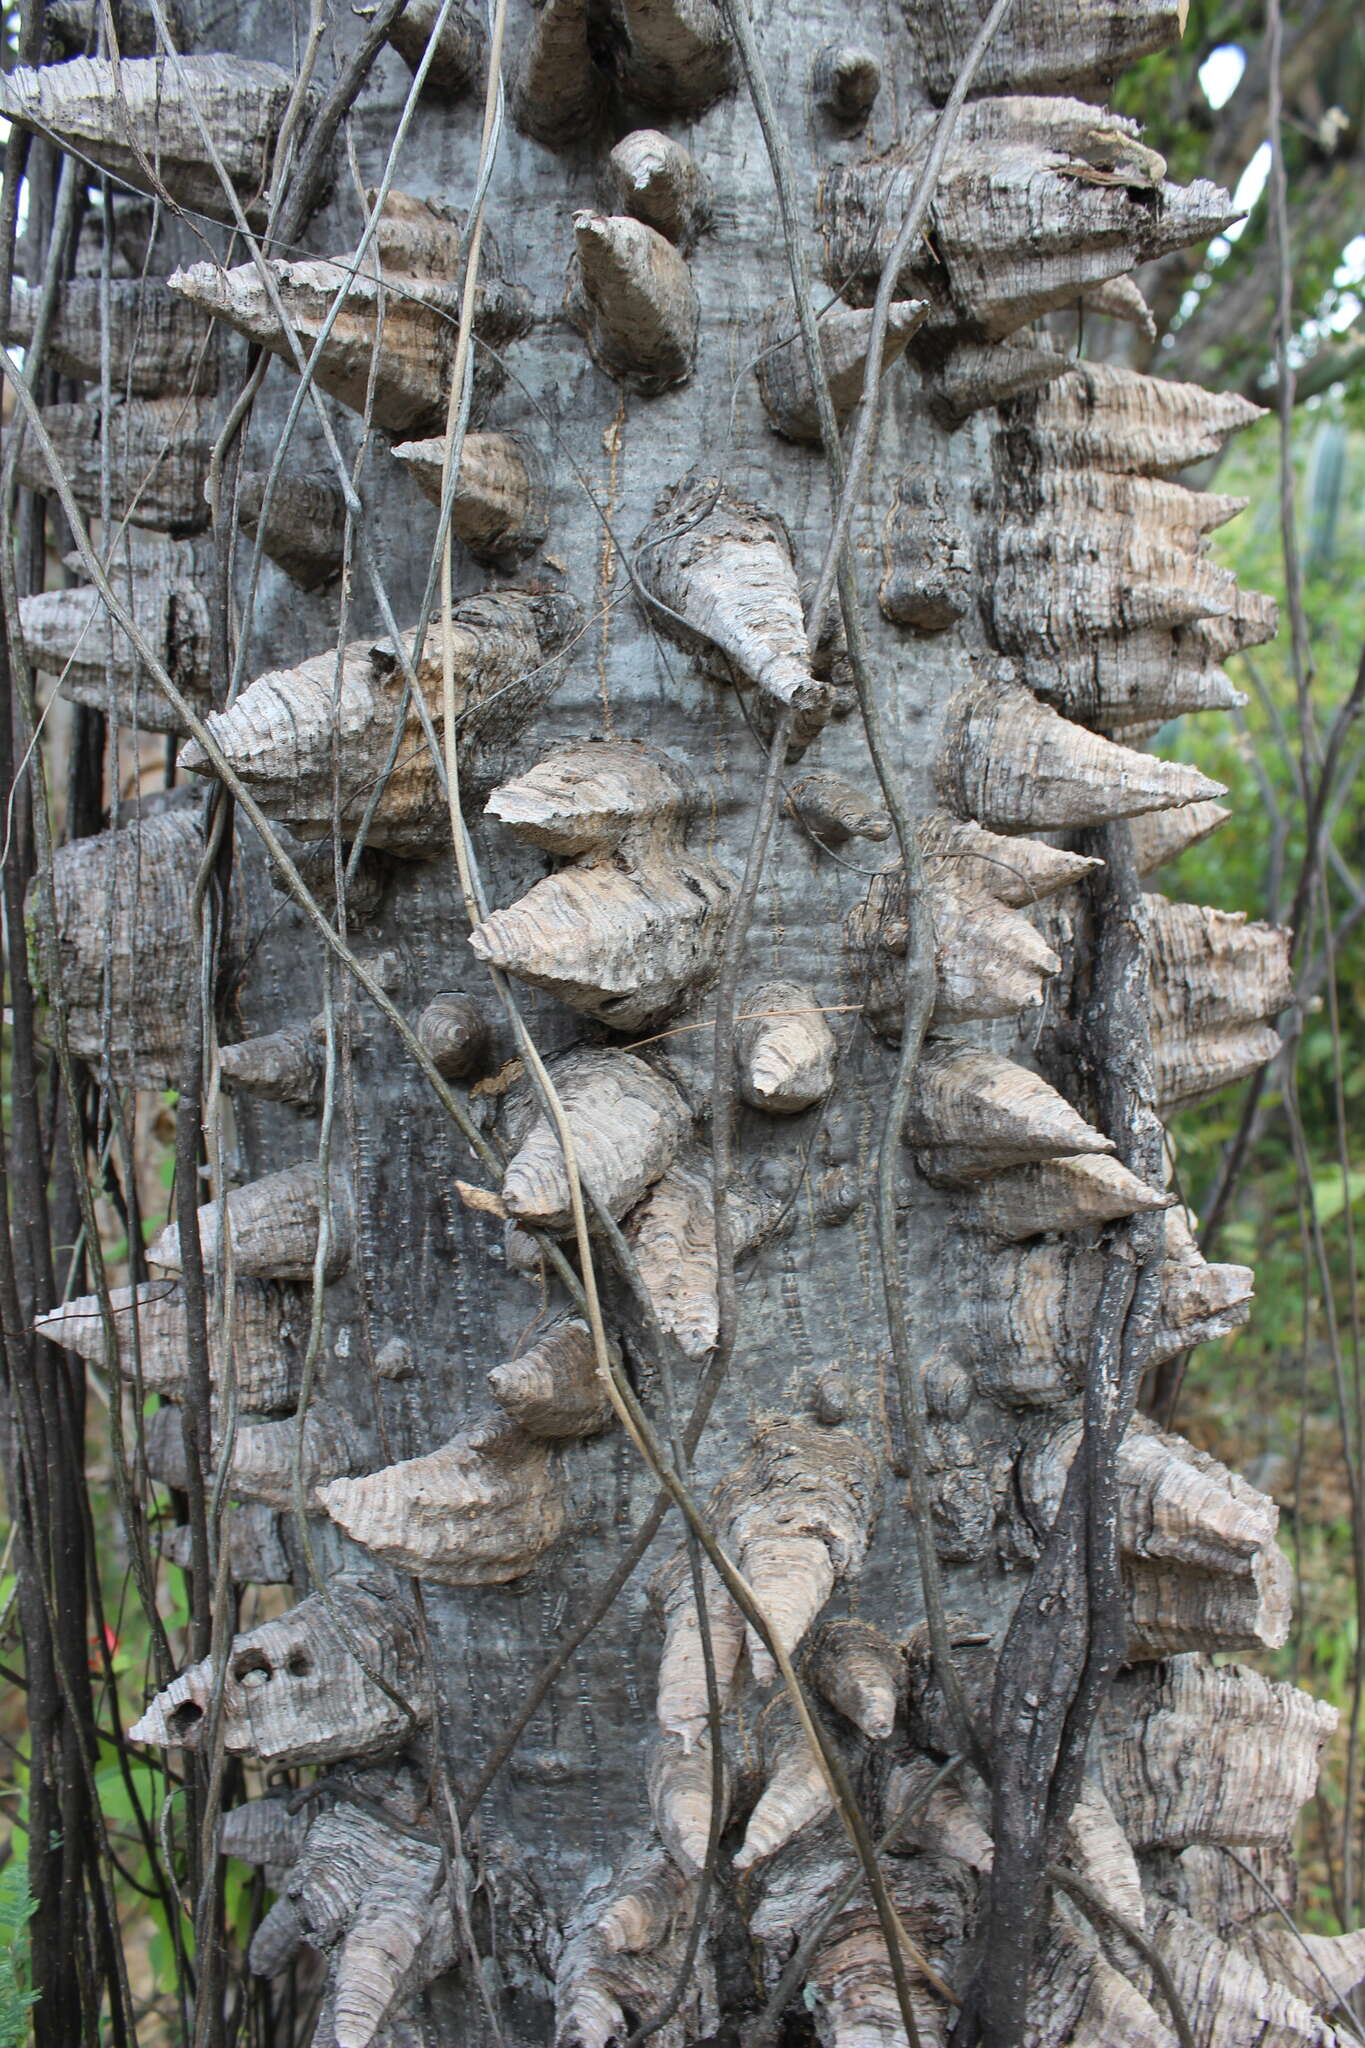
[(830, 935)]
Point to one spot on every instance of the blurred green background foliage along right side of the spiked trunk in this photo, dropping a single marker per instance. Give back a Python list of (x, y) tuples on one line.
[(1270, 1400)]
